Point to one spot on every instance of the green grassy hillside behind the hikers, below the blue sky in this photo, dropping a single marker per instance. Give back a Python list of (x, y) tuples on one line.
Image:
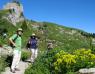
[(62, 37)]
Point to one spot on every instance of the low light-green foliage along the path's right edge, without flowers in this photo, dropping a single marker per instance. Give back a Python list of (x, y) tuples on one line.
[(39, 66)]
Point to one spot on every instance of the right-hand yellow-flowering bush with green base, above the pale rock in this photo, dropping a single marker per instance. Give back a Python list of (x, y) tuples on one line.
[(85, 58)]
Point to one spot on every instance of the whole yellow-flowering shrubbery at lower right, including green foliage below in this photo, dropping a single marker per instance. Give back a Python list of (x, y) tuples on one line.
[(66, 62)]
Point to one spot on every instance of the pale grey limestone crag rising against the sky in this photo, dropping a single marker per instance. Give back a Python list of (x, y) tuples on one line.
[(16, 12)]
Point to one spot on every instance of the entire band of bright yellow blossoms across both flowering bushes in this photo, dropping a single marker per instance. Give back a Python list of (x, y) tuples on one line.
[(78, 56)]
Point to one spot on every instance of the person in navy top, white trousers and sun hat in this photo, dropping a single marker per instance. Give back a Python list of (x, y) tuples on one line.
[(33, 47)]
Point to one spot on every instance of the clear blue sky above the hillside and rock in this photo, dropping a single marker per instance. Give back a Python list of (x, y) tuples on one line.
[(72, 13)]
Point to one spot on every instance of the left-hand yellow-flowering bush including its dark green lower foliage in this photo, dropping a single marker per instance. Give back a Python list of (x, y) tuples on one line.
[(63, 62)]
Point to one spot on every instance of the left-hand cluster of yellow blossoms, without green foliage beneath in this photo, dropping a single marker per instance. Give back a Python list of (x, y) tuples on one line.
[(64, 58)]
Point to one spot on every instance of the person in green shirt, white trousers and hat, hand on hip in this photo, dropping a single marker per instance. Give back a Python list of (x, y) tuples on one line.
[(15, 41)]
